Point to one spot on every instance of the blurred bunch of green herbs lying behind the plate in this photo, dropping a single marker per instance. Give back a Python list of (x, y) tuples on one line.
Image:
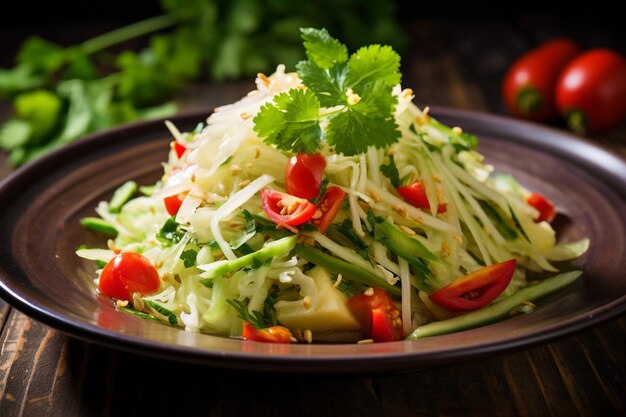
[(60, 93)]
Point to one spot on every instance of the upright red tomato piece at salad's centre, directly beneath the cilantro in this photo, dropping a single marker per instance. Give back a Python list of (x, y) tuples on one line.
[(304, 175)]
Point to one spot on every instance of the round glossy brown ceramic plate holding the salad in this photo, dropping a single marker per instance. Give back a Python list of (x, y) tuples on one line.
[(41, 276)]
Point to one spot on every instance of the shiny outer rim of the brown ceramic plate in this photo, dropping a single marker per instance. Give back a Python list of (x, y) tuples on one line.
[(303, 363)]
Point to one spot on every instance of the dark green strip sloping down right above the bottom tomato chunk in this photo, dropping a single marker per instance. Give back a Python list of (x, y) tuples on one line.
[(346, 269)]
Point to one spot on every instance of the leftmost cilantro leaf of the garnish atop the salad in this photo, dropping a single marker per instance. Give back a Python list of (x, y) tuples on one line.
[(291, 121)]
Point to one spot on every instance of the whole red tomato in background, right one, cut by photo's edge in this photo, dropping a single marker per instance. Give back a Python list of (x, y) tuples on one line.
[(591, 91)]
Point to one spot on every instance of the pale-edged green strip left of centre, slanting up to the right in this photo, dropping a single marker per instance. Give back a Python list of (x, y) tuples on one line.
[(279, 247)]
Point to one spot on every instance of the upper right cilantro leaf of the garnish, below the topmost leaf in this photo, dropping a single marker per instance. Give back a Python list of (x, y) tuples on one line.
[(372, 63)]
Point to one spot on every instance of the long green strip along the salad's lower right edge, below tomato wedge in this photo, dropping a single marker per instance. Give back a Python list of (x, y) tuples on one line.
[(496, 311)]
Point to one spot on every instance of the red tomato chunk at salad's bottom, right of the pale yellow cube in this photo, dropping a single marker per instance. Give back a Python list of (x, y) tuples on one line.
[(378, 315)]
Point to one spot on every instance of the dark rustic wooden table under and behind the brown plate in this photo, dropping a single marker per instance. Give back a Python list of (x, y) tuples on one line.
[(454, 62)]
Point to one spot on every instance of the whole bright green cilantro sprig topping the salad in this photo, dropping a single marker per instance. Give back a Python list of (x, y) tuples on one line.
[(351, 94)]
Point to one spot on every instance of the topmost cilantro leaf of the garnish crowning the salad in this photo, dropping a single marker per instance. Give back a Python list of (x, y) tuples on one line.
[(322, 49)]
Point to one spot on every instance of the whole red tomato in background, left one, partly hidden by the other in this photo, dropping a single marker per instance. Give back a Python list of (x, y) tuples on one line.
[(528, 85)]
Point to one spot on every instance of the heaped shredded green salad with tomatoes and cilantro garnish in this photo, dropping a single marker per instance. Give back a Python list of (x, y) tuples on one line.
[(326, 206)]
